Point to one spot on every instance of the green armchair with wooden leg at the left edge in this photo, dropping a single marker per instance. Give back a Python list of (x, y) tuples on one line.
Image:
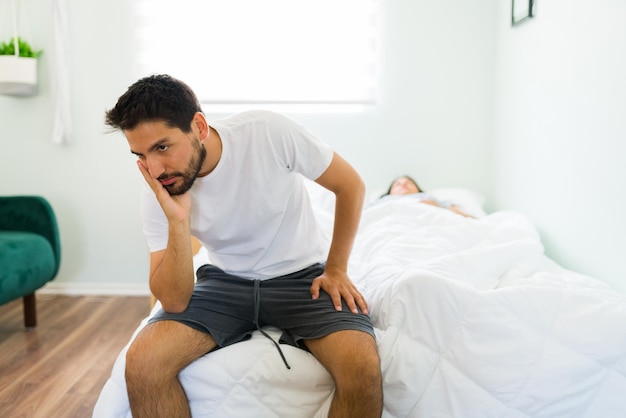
[(30, 250)]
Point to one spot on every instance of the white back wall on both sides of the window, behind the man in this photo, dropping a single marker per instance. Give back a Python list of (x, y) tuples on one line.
[(433, 120)]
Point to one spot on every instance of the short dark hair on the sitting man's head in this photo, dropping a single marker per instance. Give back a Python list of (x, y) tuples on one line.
[(155, 98)]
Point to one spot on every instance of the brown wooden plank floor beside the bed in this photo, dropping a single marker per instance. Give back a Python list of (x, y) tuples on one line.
[(58, 369)]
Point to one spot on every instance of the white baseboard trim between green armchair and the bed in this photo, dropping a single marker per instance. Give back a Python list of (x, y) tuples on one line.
[(95, 289)]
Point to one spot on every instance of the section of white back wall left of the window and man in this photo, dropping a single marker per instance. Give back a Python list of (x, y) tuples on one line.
[(91, 183)]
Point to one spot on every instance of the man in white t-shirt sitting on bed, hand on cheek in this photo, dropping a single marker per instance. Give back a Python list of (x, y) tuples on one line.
[(238, 186)]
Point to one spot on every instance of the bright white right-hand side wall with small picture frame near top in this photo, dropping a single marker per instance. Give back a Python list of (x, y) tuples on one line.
[(560, 130)]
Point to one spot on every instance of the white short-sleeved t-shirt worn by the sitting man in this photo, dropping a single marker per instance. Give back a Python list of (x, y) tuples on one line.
[(252, 212)]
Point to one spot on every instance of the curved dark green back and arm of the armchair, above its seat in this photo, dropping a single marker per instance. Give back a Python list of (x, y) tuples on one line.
[(31, 214)]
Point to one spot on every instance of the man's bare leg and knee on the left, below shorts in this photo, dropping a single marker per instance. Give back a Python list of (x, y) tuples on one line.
[(154, 359)]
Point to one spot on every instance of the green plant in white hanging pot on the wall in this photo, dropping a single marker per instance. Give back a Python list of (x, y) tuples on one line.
[(18, 68)]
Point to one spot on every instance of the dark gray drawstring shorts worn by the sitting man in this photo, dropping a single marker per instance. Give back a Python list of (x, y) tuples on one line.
[(229, 308)]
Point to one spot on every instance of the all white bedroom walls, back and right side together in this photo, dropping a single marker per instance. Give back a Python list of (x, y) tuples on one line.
[(459, 89)]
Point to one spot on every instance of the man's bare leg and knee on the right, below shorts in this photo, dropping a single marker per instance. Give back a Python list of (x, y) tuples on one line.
[(351, 358)]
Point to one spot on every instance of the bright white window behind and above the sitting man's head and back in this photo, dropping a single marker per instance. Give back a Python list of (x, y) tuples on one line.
[(262, 51)]
